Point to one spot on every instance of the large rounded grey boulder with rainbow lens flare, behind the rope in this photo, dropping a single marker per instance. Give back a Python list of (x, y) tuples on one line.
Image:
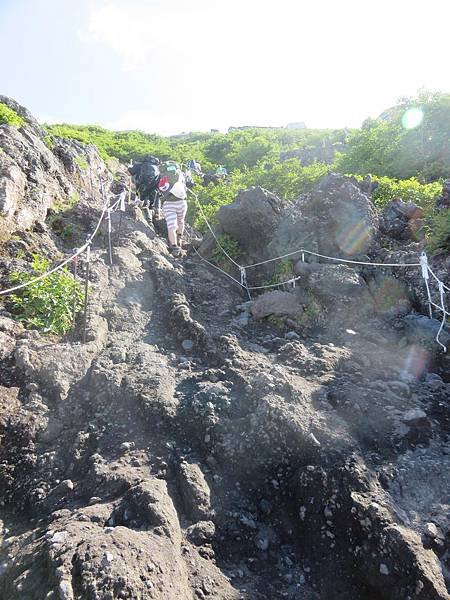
[(336, 219)]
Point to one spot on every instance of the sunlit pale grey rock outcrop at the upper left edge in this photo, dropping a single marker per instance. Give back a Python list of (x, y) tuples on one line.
[(33, 177)]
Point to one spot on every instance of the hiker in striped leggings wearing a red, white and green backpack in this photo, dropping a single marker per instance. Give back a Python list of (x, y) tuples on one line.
[(172, 186)]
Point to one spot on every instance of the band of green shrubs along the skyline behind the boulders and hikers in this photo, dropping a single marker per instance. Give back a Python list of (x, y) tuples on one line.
[(407, 159)]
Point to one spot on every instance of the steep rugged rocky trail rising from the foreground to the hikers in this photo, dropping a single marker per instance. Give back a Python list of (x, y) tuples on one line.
[(185, 455)]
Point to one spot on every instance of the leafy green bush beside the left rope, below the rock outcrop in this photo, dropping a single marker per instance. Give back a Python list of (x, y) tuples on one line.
[(46, 304)]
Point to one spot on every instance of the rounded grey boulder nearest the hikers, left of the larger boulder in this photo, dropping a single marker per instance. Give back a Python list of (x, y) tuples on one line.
[(251, 219)]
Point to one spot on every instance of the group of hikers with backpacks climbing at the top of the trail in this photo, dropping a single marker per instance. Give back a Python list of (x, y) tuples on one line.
[(162, 187)]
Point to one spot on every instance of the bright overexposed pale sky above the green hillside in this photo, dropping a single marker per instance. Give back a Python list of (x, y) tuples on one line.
[(167, 66)]
